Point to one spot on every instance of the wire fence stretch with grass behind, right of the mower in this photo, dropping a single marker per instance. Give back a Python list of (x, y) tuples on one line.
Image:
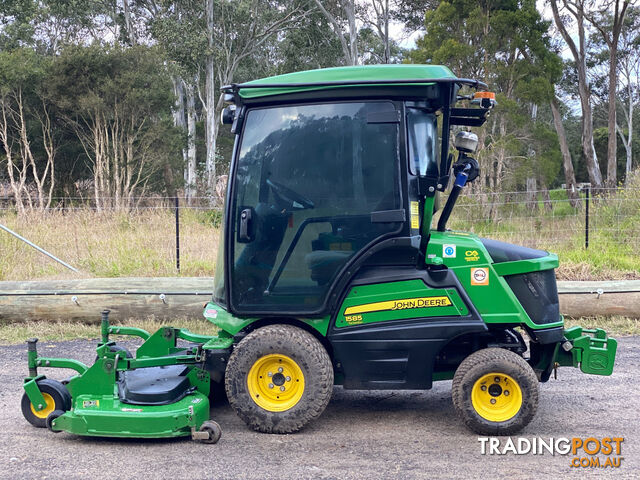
[(550, 220)]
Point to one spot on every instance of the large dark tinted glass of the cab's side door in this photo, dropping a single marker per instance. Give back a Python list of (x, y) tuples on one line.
[(311, 176)]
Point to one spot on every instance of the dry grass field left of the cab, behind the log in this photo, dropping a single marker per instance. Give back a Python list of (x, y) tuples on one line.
[(108, 244)]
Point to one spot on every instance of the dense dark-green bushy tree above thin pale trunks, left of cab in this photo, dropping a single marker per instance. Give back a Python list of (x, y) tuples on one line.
[(125, 89)]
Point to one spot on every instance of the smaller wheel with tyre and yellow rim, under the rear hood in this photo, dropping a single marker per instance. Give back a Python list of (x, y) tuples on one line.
[(495, 391)]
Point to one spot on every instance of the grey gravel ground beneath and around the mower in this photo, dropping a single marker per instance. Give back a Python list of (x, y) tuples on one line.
[(362, 434)]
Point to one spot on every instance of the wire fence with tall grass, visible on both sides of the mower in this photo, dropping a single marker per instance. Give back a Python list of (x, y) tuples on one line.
[(166, 236)]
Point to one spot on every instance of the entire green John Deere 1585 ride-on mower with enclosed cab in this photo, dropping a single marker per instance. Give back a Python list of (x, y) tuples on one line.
[(330, 273)]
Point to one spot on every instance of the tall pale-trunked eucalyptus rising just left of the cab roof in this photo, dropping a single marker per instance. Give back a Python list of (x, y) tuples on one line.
[(211, 41)]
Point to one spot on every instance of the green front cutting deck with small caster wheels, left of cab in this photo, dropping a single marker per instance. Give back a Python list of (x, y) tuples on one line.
[(162, 392)]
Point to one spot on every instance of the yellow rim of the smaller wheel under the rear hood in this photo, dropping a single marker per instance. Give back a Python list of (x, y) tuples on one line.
[(496, 397)]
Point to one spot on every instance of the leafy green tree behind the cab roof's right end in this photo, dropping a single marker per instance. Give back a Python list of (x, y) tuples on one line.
[(505, 44)]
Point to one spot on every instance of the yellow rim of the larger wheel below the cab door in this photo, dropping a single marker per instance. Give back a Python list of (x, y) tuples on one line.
[(275, 382)]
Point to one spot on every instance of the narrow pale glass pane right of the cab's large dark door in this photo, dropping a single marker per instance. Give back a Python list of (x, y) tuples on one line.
[(423, 142)]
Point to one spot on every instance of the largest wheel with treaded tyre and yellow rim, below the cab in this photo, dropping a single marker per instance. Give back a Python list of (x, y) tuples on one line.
[(279, 378)]
